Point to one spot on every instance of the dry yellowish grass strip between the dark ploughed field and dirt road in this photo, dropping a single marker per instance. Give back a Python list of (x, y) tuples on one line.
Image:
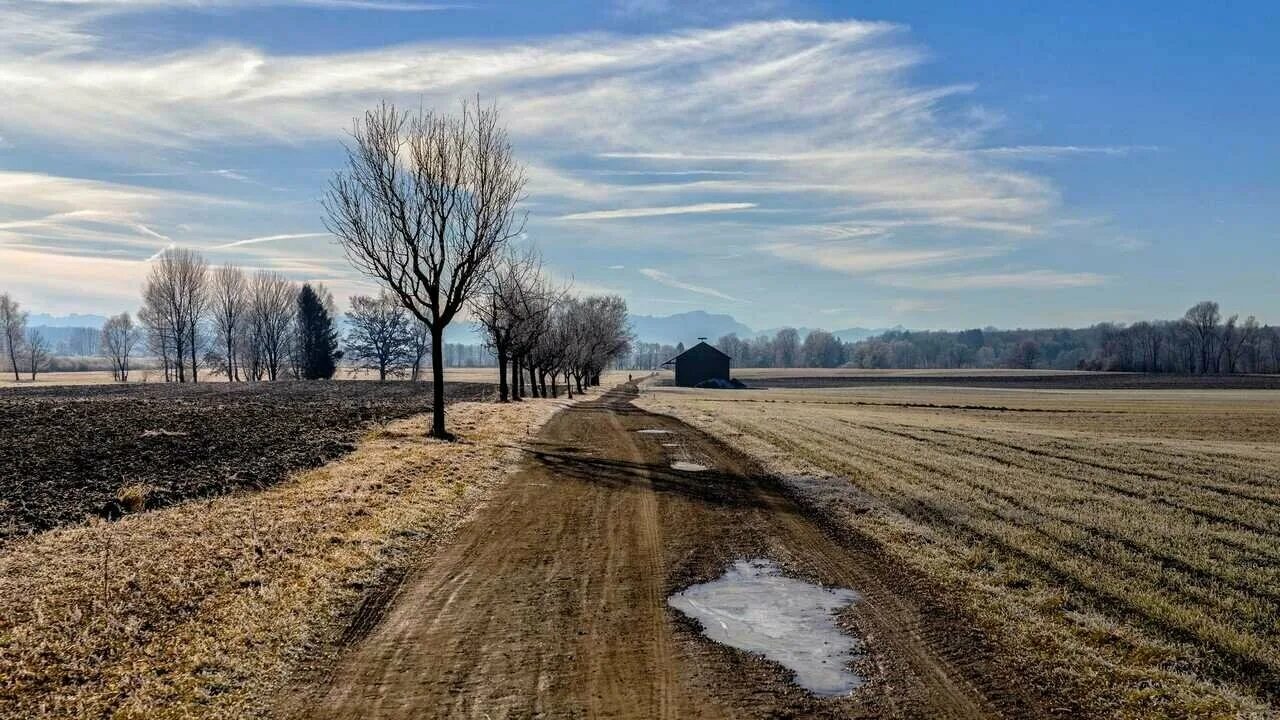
[(204, 610)]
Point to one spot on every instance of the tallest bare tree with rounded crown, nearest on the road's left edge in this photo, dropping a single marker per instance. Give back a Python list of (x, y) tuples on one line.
[(426, 206)]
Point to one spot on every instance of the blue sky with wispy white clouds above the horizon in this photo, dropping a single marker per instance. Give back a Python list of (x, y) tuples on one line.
[(835, 165)]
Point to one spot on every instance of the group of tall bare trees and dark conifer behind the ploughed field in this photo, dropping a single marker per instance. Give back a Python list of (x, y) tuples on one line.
[(245, 327)]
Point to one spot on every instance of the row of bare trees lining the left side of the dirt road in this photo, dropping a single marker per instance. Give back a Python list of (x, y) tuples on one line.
[(429, 207)]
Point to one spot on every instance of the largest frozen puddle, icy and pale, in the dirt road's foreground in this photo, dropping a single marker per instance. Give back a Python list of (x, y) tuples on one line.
[(793, 623)]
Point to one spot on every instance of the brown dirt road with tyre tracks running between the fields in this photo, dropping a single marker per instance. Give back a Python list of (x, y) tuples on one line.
[(552, 601)]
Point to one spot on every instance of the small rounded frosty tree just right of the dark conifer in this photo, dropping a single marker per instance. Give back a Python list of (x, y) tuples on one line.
[(380, 335)]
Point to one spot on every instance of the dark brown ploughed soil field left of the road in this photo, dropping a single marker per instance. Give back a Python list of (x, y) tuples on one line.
[(70, 452)]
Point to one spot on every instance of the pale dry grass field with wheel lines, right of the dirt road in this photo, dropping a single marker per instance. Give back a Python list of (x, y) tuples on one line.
[(1124, 545)]
